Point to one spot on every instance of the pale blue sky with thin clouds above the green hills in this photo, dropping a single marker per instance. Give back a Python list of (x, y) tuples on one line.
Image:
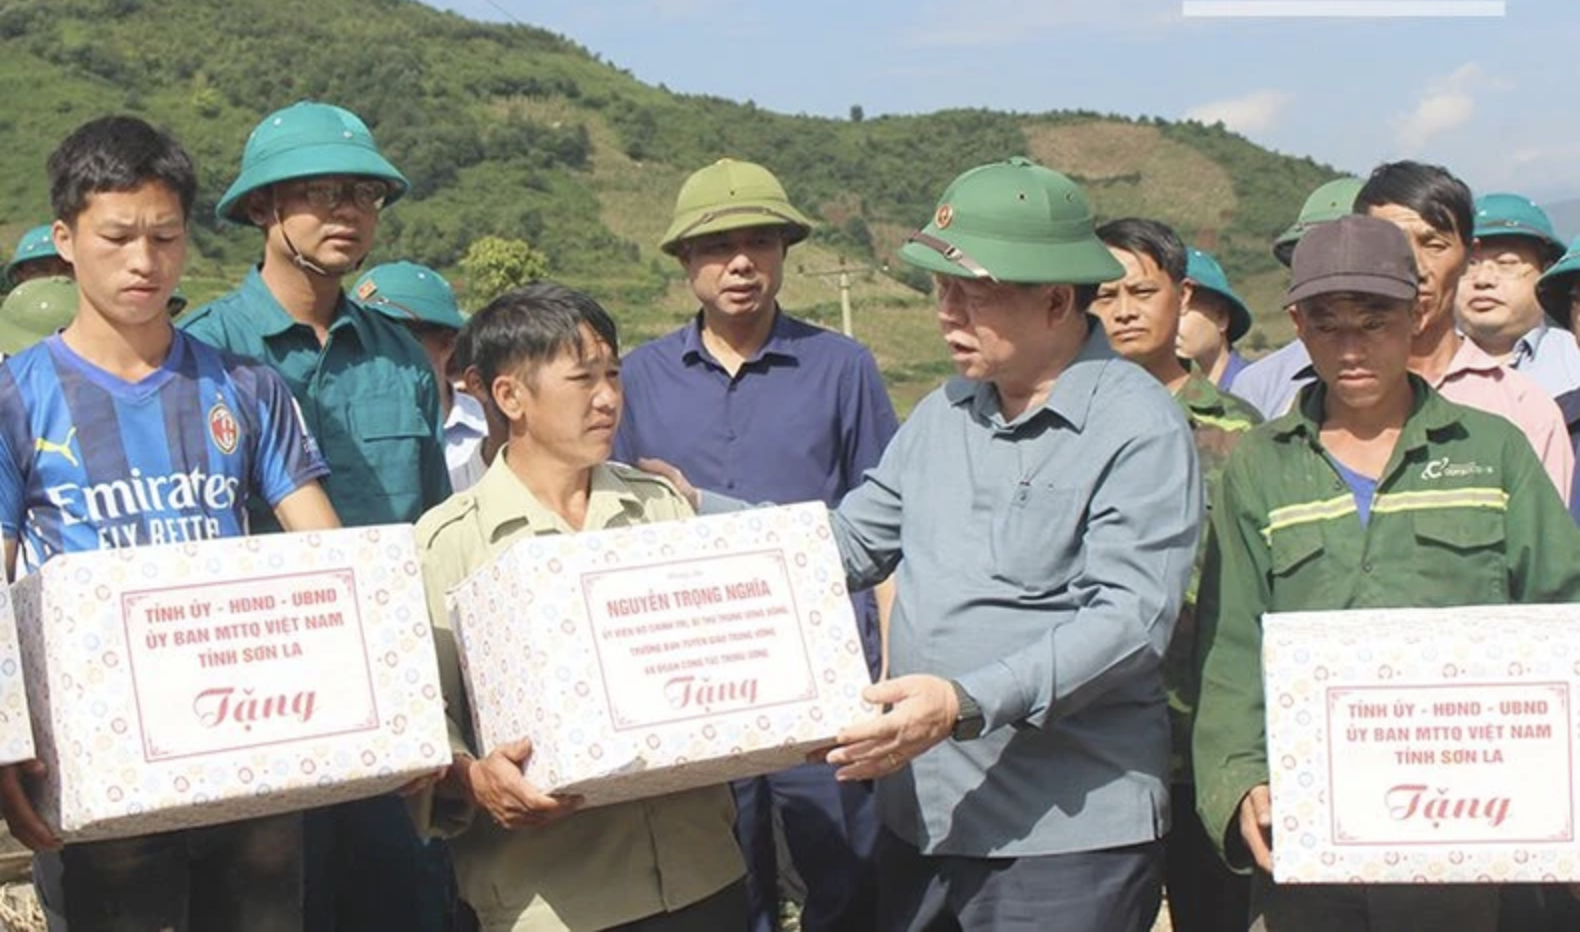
[(1489, 97)]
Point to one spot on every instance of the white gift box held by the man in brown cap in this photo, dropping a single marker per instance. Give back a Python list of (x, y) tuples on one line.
[(1424, 746)]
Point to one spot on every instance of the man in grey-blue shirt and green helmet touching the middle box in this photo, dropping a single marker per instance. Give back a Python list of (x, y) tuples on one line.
[(1040, 513)]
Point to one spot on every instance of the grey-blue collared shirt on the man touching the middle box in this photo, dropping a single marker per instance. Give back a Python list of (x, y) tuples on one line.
[(1044, 566)]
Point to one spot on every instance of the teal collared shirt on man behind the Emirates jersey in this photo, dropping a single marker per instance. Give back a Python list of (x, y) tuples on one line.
[(367, 396)]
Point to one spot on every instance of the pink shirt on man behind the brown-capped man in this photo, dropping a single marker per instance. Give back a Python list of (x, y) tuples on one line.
[(1477, 380)]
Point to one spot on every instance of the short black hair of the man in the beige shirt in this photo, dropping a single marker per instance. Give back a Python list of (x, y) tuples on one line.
[(532, 326)]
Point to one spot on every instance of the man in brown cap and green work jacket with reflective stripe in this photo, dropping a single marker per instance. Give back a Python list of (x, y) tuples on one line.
[(1336, 506)]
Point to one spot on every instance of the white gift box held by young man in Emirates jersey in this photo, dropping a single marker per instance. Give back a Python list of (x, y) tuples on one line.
[(201, 683)]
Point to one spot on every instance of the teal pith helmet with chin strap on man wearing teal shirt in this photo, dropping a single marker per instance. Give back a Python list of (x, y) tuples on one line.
[(303, 141)]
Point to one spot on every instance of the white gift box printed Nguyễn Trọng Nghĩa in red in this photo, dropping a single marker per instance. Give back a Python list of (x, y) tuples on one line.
[(655, 660)]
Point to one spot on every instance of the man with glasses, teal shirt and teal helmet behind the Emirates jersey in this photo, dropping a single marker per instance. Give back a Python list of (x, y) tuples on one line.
[(314, 182)]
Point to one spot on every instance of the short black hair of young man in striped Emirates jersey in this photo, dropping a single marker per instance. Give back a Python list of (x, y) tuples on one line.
[(118, 154)]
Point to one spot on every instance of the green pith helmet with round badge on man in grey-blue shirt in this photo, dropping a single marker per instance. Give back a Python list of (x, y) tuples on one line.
[(1014, 222)]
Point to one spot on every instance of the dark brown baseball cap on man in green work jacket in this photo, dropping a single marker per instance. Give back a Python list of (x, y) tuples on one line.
[(1355, 254)]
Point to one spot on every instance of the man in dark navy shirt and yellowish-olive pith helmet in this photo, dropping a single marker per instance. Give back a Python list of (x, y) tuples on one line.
[(754, 404)]
